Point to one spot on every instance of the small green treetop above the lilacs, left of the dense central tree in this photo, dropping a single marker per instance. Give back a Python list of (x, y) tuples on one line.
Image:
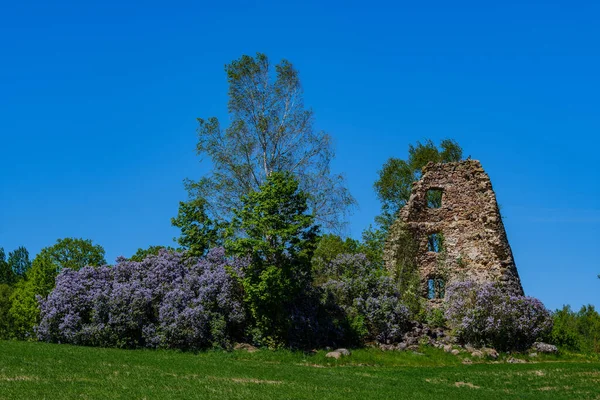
[(198, 231)]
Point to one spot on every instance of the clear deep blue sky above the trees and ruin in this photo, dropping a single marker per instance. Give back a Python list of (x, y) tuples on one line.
[(98, 101)]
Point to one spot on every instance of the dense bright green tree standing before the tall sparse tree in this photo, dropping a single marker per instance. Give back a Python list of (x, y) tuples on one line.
[(280, 237)]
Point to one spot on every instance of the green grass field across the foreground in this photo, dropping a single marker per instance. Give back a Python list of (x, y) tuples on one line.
[(45, 371)]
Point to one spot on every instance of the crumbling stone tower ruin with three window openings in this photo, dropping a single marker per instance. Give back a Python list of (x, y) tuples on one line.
[(458, 233)]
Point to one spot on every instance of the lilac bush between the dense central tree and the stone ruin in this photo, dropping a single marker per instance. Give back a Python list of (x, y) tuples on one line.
[(368, 298)]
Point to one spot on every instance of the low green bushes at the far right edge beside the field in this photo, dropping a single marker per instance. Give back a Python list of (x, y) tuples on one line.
[(577, 331)]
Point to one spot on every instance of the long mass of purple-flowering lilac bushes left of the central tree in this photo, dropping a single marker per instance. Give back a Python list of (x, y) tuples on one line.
[(165, 301)]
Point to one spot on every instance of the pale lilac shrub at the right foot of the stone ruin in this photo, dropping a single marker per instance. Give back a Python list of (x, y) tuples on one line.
[(485, 315)]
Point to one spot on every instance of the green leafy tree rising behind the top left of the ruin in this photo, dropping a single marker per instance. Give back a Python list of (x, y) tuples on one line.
[(395, 180)]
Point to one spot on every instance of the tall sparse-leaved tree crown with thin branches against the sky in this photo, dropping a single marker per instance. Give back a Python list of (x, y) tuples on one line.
[(270, 131)]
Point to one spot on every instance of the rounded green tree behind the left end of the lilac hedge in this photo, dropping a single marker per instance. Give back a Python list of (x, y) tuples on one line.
[(40, 280)]
